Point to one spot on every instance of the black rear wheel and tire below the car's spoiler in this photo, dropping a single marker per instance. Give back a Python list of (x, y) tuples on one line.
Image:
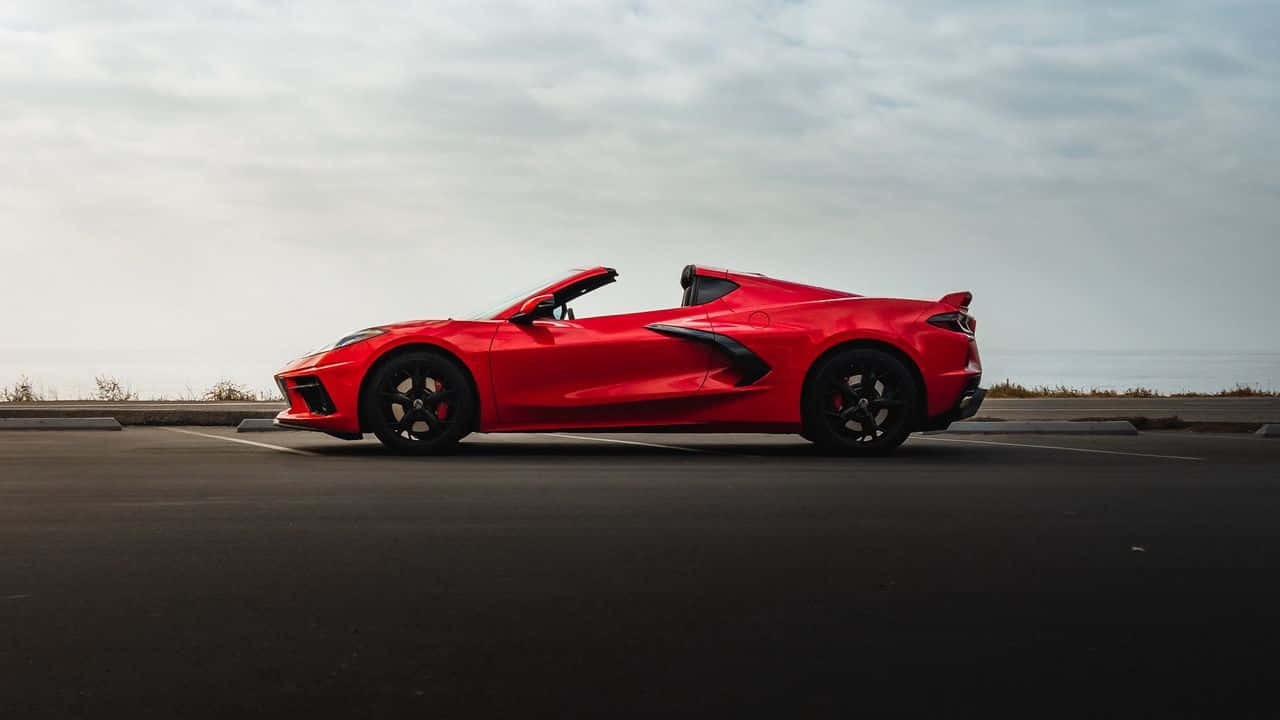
[(843, 414)]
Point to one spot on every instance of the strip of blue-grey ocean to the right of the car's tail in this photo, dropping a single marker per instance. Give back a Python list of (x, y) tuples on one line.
[(1169, 371)]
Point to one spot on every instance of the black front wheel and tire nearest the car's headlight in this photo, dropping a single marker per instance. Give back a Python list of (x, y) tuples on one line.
[(419, 403)]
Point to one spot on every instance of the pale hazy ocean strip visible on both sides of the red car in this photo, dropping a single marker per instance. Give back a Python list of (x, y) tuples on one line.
[(1176, 371)]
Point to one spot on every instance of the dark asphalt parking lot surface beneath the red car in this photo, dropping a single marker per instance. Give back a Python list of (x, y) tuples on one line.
[(186, 573)]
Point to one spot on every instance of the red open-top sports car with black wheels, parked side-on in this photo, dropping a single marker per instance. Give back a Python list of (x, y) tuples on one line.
[(743, 353)]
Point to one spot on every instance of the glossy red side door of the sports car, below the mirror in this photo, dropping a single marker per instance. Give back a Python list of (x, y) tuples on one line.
[(614, 371)]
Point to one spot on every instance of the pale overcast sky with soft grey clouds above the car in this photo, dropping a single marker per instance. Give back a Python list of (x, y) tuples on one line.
[(195, 190)]
